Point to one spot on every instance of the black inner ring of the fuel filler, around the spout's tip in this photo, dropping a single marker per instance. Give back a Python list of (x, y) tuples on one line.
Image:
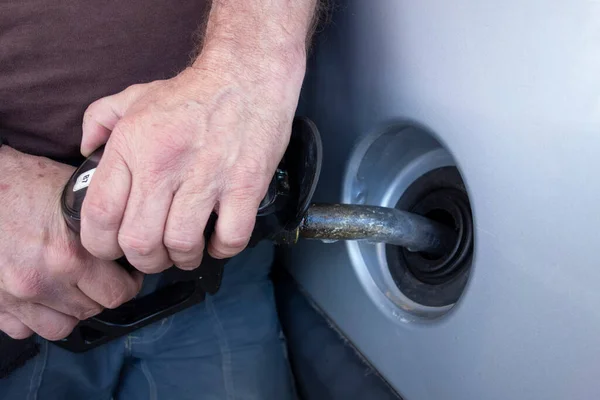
[(431, 280)]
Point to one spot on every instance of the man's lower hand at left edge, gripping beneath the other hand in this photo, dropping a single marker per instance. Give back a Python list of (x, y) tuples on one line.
[(48, 282)]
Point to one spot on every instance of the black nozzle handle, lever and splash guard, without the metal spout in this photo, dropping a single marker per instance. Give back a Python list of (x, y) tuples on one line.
[(286, 202)]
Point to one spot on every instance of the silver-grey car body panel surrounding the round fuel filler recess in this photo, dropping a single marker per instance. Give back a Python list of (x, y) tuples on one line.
[(512, 89)]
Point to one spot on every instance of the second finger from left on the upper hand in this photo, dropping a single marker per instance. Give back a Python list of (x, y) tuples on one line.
[(142, 229)]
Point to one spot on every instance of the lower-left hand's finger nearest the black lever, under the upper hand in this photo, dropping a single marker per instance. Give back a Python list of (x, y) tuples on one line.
[(109, 284)]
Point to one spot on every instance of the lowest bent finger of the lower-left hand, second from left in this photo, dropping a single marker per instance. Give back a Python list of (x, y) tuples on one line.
[(44, 321)]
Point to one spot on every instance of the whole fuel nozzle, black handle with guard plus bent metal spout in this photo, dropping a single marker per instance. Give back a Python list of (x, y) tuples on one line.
[(285, 214)]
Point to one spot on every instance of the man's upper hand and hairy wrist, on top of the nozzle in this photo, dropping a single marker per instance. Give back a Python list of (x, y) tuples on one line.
[(207, 140)]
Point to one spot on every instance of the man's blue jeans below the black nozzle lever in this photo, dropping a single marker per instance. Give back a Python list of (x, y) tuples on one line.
[(228, 347)]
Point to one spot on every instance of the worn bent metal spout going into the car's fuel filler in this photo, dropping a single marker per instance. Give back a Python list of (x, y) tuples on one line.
[(331, 222)]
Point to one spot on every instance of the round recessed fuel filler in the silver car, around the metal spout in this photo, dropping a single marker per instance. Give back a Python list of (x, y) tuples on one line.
[(406, 166)]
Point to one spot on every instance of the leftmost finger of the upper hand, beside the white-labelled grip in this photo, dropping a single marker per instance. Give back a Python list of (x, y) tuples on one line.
[(104, 205)]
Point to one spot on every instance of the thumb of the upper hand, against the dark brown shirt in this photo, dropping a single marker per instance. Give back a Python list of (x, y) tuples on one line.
[(102, 115)]
